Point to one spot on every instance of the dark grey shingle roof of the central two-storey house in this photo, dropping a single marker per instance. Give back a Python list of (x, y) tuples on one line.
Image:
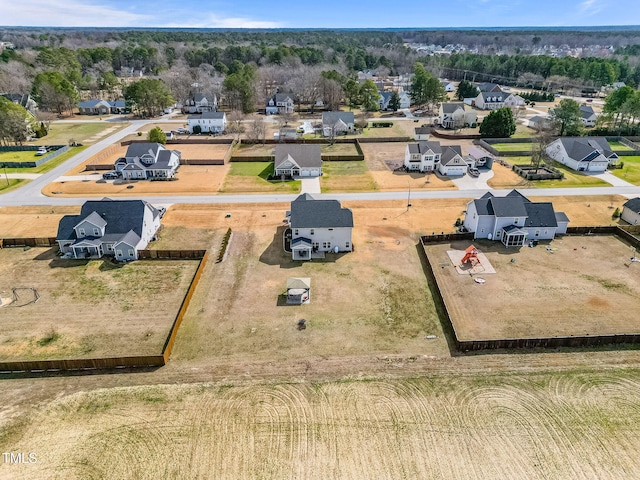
[(307, 212)]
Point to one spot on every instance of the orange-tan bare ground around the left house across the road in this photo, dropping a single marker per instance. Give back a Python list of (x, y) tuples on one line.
[(191, 179)]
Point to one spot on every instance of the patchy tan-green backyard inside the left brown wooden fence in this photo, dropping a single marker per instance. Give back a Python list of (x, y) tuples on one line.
[(87, 308)]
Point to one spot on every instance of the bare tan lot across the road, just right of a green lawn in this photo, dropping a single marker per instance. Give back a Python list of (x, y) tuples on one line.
[(379, 157)]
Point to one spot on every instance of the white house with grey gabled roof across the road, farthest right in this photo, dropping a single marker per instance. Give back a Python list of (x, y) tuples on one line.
[(583, 154)]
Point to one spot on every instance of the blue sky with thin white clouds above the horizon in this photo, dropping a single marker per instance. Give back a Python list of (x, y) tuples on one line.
[(318, 14)]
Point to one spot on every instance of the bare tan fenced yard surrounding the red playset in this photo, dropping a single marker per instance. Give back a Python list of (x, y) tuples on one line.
[(544, 291)]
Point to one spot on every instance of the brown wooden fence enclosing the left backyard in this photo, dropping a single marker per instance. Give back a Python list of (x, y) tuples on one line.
[(134, 361)]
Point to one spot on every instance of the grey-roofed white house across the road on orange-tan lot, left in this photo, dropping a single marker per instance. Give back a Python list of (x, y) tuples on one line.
[(144, 161)]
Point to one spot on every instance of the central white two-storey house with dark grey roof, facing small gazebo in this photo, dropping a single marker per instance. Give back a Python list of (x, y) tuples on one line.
[(319, 226)]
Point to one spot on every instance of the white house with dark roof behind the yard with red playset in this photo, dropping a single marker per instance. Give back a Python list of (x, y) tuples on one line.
[(514, 219)]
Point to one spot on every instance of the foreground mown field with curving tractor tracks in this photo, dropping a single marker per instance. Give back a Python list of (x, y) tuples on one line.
[(572, 424)]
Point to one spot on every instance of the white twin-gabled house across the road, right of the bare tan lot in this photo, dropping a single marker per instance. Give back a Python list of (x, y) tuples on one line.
[(431, 156)]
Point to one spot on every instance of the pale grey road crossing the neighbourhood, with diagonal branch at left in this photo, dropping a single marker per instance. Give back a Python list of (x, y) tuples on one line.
[(30, 194)]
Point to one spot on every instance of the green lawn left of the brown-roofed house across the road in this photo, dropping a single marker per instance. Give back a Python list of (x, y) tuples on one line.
[(251, 177)]
